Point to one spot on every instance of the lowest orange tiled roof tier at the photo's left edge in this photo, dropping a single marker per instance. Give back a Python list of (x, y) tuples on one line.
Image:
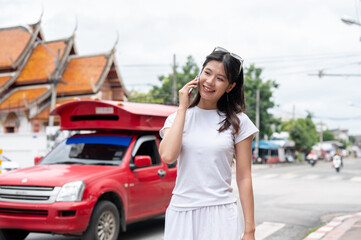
[(16, 99)]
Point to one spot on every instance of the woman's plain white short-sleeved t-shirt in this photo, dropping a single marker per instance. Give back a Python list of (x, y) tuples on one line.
[(204, 163)]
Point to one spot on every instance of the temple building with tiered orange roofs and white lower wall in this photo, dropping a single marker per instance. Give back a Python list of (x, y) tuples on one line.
[(36, 75)]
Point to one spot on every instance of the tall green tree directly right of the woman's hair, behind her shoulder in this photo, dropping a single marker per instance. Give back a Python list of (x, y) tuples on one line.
[(252, 82)]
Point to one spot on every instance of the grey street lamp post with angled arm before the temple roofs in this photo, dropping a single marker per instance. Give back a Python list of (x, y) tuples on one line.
[(53, 80)]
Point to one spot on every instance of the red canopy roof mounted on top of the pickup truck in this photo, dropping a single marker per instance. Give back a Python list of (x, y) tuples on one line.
[(102, 115)]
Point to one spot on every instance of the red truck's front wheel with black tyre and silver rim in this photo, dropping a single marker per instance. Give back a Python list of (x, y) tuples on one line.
[(104, 223)]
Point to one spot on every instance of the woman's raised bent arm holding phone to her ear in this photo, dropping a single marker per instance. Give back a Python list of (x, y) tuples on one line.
[(170, 146)]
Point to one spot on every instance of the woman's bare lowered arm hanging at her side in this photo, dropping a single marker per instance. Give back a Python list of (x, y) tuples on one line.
[(244, 182)]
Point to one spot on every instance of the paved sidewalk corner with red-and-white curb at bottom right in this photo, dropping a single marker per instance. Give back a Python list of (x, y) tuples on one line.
[(347, 227)]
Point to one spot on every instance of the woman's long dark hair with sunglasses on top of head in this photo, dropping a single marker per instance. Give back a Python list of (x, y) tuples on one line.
[(234, 103)]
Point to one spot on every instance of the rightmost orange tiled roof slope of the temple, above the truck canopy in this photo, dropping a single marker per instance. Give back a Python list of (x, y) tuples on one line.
[(80, 72)]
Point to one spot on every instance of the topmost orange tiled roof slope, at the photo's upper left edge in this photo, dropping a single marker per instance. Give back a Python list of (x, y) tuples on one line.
[(12, 43)]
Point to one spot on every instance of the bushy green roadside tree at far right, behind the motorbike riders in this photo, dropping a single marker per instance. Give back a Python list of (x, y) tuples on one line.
[(302, 132)]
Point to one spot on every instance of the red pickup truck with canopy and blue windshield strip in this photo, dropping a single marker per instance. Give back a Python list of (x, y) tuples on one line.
[(95, 182)]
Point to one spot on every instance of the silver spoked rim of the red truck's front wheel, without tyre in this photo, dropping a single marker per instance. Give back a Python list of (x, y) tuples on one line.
[(106, 226)]
